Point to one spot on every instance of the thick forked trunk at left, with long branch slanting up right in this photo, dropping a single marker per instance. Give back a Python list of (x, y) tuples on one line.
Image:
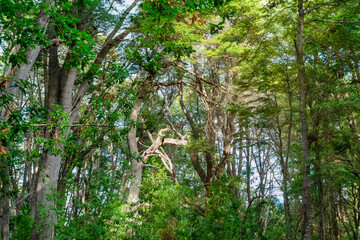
[(59, 86)]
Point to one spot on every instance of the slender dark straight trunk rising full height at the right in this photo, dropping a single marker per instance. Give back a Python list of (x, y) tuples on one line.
[(307, 220)]
